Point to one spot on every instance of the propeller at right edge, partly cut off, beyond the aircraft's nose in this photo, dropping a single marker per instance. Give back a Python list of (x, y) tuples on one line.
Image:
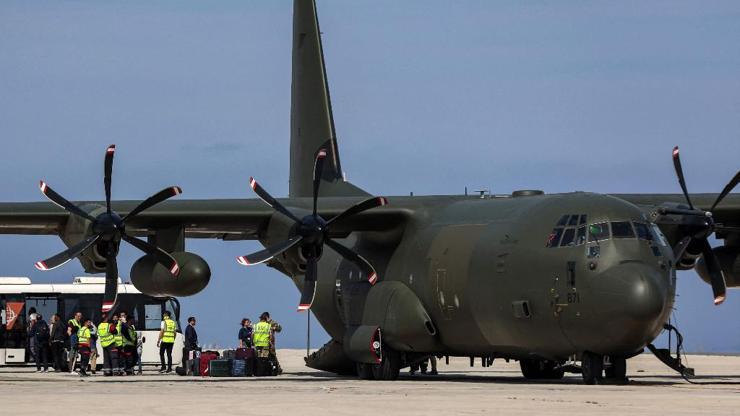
[(699, 226)]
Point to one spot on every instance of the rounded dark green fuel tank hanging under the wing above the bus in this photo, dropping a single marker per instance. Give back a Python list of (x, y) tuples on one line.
[(153, 279)]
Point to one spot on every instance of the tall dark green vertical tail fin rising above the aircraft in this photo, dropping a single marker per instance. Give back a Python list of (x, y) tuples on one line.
[(311, 119)]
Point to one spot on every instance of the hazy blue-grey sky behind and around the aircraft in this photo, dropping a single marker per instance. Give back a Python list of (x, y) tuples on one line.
[(429, 97)]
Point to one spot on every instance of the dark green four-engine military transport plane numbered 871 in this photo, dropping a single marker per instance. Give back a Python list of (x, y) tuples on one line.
[(548, 280)]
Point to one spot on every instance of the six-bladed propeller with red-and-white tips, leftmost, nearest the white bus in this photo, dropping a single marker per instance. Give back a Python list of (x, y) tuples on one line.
[(109, 229)]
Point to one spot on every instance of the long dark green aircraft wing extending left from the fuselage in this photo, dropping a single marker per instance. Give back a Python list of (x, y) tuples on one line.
[(227, 219)]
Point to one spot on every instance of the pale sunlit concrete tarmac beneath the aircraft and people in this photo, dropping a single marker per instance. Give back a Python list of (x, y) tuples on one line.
[(458, 389)]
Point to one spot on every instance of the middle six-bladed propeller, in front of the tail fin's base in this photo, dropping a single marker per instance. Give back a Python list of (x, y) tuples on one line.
[(311, 233)]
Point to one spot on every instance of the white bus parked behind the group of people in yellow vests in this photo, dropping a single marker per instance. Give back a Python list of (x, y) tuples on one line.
[(18, 295)]
